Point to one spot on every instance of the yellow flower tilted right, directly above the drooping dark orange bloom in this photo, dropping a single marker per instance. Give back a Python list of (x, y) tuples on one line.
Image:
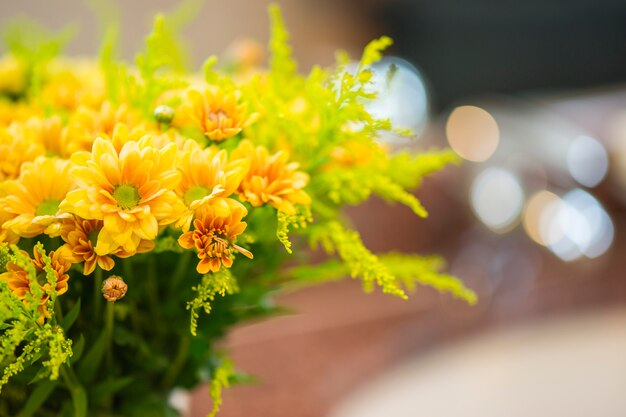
[(207, 175)]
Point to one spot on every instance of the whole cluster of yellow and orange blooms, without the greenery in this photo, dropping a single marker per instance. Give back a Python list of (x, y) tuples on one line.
[(107, 181)]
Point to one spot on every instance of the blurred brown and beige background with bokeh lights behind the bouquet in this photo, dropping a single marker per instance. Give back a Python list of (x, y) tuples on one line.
[(532, 95)]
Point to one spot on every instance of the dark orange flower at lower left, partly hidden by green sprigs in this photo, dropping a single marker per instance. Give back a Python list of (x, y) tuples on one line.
[(16, 278)]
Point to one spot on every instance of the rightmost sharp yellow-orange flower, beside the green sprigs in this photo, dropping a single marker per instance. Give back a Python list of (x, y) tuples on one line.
[(272, 179)]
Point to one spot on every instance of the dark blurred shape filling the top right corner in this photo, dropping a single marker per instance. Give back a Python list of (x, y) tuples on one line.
[(473, 47)]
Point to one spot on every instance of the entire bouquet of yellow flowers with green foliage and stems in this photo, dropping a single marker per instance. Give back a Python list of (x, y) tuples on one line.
[(145, 211)]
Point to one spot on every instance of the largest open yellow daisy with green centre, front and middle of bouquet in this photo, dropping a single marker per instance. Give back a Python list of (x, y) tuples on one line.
[(132, 192)]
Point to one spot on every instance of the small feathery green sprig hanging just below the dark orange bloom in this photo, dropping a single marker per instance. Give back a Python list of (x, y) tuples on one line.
[(212, 284)]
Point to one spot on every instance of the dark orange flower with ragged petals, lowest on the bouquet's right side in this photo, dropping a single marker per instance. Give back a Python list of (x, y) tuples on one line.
[(214, 237)]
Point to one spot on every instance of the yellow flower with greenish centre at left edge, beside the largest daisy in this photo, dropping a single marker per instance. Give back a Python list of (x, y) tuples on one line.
[(35, 196)]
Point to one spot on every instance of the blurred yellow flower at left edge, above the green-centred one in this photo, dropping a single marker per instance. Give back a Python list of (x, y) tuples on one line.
[(17, 145)]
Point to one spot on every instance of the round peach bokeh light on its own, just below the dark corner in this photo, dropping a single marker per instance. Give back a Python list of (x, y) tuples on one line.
[(472, 133)]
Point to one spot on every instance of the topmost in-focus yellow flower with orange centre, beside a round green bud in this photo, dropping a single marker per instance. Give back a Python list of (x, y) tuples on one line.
[(217, 114)]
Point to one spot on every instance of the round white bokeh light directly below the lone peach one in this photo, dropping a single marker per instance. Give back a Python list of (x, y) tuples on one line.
[(497, 198)]
